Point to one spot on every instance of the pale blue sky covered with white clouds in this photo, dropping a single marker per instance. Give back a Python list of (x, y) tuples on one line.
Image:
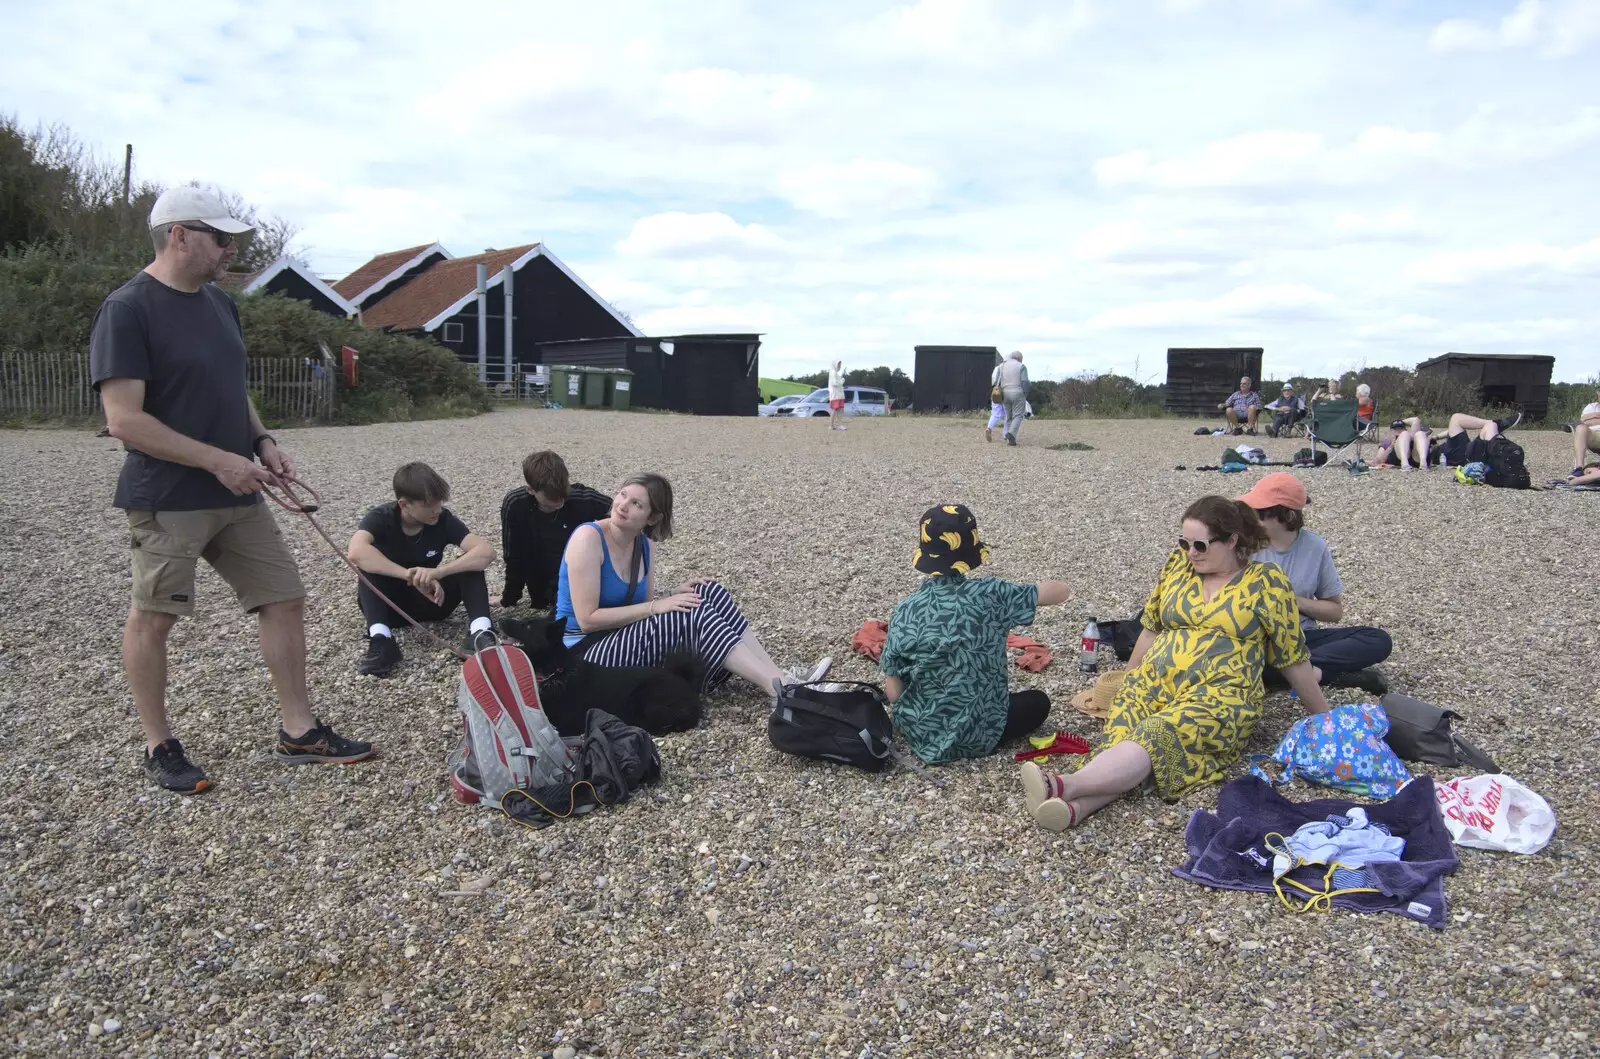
[(1092, 183)]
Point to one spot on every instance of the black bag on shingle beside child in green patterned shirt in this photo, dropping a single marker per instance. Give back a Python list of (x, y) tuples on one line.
[(849, 725)]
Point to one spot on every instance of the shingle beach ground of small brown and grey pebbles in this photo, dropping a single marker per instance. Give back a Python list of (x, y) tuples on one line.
[(754, 905)]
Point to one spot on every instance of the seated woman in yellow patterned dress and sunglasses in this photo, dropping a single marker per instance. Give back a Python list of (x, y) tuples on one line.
[(1194, 689)]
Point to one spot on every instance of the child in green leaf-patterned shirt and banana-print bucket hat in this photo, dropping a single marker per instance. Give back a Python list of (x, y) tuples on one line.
[(945, 663)]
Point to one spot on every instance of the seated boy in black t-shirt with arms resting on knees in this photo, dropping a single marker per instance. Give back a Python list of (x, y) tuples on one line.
[(401, 548)]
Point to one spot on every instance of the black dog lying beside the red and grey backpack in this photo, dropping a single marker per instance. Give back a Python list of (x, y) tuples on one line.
[(657, 698)]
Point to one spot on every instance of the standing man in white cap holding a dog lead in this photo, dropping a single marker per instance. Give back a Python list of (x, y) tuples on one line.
[(169, 361)]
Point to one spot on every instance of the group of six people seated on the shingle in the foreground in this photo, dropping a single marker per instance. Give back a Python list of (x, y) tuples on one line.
[(1236, 610)]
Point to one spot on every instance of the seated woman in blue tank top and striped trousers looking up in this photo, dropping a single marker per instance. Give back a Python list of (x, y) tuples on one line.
[(612, 626)]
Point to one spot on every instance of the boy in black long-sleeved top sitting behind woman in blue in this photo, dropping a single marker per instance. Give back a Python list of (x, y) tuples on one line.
[(537, 522)]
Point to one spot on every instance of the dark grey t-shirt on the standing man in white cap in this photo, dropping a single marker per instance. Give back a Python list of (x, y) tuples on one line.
[(191, 354)]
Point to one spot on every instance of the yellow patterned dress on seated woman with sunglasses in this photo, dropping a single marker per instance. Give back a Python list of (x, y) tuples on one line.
[(1198, 695)]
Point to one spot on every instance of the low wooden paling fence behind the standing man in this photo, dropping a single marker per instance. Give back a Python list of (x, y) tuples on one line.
[(57, 386)]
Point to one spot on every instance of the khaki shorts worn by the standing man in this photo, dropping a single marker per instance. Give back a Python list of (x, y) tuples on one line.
[(244, 545)]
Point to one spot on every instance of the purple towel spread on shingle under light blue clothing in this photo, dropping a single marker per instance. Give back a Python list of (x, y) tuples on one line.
[(1249, 809)]
